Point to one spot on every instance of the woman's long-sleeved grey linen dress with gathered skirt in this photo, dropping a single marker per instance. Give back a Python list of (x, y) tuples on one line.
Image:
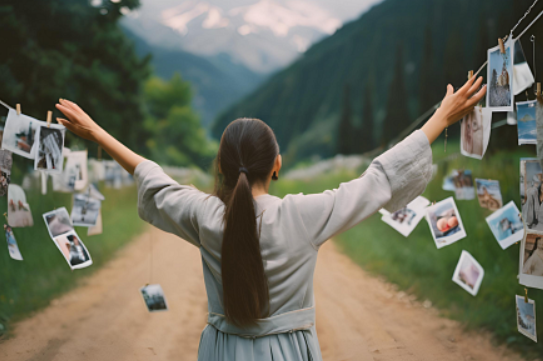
[(291, 231)]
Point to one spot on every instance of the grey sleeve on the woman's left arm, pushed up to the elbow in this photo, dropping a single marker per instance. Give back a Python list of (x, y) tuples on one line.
[(166, 204)]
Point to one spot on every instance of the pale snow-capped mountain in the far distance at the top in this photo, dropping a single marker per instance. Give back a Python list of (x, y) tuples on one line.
[(264, 35)]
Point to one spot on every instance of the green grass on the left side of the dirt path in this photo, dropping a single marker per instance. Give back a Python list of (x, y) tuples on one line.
[(30, 285)]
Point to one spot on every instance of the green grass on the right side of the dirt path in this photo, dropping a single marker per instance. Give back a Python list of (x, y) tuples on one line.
[(417, 266)]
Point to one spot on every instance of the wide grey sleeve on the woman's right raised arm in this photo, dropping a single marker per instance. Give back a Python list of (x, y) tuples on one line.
[(392, 180)]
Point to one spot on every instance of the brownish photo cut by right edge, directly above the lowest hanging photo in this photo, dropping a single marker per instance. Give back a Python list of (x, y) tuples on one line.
[(531, 260)]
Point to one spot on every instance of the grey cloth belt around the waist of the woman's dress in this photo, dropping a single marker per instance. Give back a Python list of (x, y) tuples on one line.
[(286, 322)]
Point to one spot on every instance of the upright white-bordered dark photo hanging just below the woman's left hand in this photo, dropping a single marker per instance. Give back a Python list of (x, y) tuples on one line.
[(50, 144)]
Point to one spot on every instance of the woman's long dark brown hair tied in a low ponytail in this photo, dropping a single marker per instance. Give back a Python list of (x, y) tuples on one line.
[(246, 156)]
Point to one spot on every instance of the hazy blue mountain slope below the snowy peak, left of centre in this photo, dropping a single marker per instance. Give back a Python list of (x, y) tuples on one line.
[(217, 81)]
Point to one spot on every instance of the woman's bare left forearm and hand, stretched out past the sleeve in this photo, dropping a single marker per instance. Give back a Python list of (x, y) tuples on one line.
[(82, 125)]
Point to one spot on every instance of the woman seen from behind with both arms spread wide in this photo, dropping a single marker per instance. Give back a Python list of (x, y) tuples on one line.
[(259, 251)]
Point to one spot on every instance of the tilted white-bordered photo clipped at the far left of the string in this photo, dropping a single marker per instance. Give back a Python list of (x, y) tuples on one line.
[(20, 134)]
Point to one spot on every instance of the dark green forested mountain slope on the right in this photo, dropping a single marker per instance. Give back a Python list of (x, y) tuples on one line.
[(302, 103)]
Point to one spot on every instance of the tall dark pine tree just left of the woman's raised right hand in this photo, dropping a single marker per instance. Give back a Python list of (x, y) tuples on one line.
[(397, 118)]
